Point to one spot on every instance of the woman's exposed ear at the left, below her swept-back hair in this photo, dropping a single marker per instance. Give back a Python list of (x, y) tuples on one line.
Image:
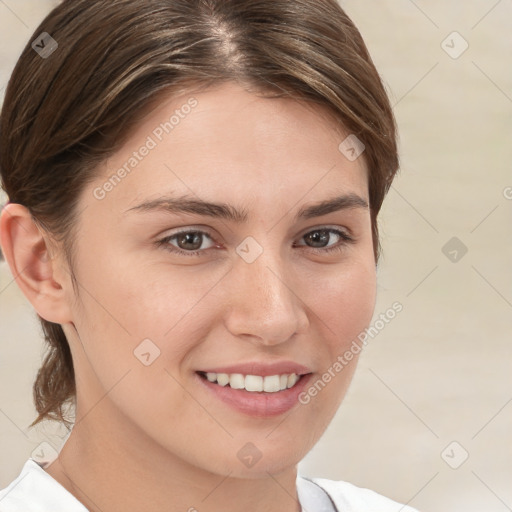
[(41, 278)]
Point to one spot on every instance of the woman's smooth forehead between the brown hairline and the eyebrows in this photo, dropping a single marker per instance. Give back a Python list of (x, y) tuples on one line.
[(227, 141)]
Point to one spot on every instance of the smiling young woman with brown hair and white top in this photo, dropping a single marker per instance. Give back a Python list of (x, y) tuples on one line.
[(193, 197)]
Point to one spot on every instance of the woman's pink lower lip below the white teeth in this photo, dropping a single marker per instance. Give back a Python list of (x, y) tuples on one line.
[(260, 404)]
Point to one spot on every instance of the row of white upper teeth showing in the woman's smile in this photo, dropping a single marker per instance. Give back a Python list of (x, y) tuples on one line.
[(254, 383)]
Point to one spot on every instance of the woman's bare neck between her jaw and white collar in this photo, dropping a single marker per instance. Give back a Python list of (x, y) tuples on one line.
[(109, 465)]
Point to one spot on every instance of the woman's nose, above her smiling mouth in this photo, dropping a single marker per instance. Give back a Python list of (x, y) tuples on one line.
[(264, 302)]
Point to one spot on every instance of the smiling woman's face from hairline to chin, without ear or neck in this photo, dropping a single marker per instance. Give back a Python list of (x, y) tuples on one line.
[(261, 281)]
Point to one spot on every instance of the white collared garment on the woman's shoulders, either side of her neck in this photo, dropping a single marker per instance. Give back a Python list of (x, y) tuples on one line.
[(34, 490)]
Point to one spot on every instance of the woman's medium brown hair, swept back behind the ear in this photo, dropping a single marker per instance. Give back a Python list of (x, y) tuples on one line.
[(66, 113)]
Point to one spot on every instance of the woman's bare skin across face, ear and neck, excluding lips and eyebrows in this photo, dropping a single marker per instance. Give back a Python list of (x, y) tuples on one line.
[(149, 437)]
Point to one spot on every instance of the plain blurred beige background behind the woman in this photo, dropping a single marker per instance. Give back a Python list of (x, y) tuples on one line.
[(441, 370)]
